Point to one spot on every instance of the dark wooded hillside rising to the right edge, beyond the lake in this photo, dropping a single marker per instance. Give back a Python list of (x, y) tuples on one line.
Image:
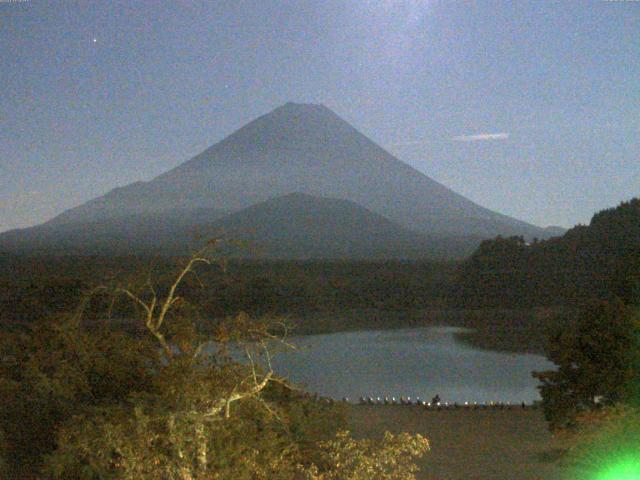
[(597, 261)]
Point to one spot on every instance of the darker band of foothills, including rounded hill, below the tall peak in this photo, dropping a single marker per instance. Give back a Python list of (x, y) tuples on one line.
[(294, 226)]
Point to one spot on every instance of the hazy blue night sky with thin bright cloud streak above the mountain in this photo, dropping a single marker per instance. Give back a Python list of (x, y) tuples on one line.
[(530, 109)]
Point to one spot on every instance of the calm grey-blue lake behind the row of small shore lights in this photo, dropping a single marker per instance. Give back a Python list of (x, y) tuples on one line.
[(418, 362)]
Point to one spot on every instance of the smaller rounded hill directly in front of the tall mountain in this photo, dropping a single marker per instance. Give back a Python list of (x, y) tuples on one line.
[(300, 226)]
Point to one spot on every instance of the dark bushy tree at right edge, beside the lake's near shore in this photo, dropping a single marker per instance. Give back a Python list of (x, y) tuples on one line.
[(598, 364)]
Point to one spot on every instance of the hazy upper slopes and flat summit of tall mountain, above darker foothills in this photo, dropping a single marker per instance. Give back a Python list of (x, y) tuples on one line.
[(308, 149)]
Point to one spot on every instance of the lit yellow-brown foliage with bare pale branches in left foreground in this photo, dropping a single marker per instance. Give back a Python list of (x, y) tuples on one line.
[(170, 403)]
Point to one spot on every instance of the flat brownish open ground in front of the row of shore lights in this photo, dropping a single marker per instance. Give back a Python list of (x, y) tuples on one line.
[(469, 444)]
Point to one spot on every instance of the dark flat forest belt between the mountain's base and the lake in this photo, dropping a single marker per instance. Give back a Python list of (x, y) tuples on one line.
[(33, 289)]
